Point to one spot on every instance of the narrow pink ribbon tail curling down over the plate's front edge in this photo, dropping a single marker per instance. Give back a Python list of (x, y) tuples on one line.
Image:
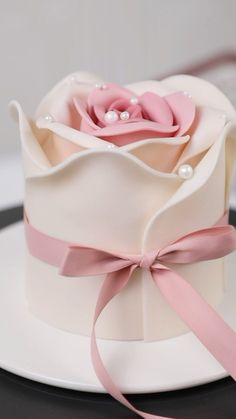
[(112, 285)]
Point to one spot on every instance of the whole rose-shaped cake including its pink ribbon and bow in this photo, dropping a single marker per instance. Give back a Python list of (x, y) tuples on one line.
[(120, 182)]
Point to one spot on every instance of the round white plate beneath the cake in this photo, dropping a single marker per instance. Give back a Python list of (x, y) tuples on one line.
[(34, 350)]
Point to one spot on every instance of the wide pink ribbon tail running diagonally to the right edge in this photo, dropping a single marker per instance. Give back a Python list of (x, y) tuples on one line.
[(215, 334)]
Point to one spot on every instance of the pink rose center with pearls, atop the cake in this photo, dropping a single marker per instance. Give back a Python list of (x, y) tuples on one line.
[(115, 114)]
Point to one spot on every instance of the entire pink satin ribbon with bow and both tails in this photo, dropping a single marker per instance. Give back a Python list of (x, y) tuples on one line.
[(201, 318)]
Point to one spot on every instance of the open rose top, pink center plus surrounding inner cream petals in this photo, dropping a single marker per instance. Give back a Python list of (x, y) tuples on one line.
[(154, 121)]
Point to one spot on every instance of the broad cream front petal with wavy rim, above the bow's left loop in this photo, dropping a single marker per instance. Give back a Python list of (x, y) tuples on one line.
[(102, 199)]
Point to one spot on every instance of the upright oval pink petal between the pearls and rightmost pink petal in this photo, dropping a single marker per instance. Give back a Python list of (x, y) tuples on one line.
[(156, 108)]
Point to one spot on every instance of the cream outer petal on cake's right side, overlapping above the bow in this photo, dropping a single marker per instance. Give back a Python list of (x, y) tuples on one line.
[(199, 202)]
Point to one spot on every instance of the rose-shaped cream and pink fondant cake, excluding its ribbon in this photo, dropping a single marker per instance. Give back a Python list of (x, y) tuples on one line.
[(127, 170)]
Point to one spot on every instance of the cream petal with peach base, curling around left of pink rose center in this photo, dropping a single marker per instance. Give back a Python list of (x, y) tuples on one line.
[(63, 138)]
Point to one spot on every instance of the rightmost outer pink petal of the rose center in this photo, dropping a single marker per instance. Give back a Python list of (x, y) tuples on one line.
[(183, 110)]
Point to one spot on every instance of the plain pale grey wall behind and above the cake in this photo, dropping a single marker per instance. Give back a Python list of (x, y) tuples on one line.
[(43, 40)]
